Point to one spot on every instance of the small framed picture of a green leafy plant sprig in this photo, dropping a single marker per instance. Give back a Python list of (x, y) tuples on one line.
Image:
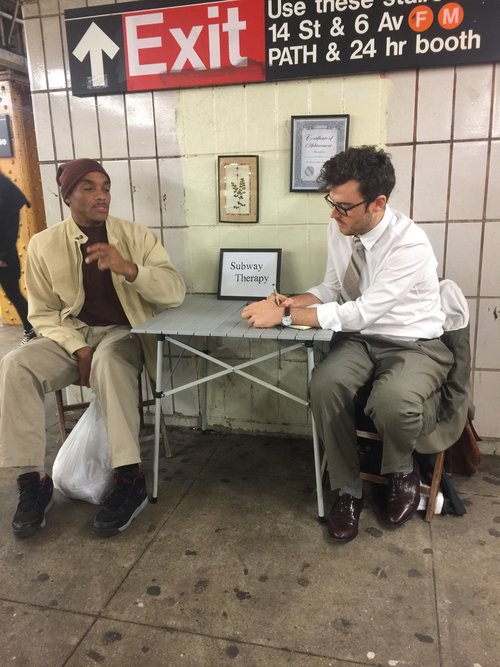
[(238, 188)]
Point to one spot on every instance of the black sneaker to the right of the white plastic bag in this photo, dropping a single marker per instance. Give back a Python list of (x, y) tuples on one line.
[(127, 499)]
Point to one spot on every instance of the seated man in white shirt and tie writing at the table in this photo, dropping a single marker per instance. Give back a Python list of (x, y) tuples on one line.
[(385, 309)]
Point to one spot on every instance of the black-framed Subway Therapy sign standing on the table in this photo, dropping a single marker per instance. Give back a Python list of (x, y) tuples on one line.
[(248, 274)]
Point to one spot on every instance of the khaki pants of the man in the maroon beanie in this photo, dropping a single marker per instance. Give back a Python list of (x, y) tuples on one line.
[(42, 366)]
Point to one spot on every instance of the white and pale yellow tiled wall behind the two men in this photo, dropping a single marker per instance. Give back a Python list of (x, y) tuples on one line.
[(161, 149)]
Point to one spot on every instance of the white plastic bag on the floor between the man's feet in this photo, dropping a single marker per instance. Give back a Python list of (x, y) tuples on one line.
[(82, 468)]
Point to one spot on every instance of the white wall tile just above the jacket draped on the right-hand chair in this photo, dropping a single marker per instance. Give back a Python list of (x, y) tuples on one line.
[(462, 255)]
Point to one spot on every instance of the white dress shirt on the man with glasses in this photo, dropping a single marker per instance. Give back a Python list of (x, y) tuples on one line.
[(399, 282)]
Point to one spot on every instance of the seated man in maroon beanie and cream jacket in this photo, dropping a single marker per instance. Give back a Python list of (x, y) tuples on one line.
[(90, 279)]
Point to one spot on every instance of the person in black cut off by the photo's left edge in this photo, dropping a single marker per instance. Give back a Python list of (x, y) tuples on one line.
[(11, 202)]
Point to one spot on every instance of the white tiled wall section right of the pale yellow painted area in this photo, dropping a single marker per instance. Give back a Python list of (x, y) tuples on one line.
[(455, 197)]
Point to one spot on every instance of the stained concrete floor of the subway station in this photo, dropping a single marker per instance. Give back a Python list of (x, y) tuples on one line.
[(231, 567)]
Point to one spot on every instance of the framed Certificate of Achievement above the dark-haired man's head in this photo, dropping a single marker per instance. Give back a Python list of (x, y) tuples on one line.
[(315, 139)]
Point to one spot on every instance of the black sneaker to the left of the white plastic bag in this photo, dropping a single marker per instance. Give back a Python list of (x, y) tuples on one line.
[(35, 500)]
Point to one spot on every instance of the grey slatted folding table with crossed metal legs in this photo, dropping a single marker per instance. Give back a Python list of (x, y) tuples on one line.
[(205, 316)]
